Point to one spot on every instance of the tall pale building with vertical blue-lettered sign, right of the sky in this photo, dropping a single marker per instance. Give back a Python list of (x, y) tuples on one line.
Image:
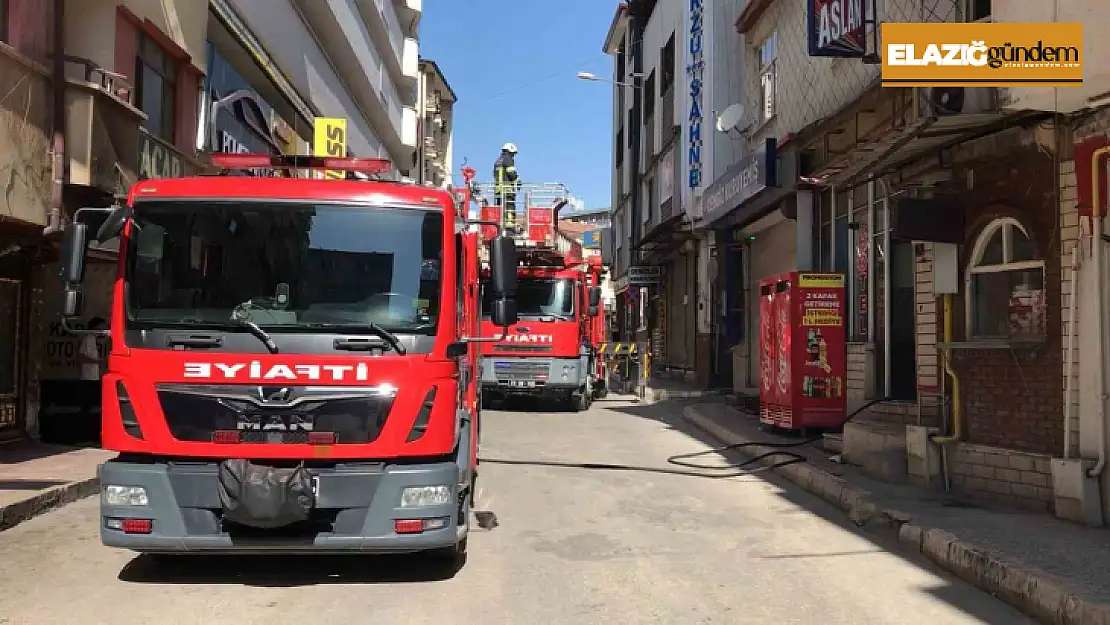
[(659, 259)]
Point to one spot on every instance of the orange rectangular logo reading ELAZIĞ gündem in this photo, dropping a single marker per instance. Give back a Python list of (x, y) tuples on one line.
[(983, 55)]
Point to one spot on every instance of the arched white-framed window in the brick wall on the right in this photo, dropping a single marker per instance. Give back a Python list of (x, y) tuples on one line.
[(1005, 285)]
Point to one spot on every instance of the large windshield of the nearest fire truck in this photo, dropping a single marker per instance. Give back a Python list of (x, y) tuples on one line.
[(287, 267)]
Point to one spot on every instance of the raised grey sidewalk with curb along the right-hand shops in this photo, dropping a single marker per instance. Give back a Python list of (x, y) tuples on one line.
[(1051, 570)]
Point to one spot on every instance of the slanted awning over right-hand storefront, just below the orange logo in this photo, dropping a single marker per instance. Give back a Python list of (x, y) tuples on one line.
[(882, 156)]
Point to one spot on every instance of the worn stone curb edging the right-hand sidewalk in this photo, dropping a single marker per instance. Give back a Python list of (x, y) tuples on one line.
[(1022, 589)]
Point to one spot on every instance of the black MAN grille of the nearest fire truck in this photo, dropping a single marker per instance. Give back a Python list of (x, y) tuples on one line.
[(286, 416)]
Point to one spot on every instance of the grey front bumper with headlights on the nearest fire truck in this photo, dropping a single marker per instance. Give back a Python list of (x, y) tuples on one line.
[(369, 508)]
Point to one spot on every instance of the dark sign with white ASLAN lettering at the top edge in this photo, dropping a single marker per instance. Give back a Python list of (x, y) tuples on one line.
[(837, 28)]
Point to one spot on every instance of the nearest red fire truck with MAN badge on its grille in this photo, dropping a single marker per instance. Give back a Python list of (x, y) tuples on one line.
[(292, 364)]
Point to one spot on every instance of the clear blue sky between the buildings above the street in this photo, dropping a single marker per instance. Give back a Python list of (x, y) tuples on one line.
[(512, 64)]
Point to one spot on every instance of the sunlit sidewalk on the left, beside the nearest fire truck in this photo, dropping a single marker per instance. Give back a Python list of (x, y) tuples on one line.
[(36, 479)]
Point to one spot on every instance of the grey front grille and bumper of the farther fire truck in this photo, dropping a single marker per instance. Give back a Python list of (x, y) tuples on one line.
[(533, 376)]
